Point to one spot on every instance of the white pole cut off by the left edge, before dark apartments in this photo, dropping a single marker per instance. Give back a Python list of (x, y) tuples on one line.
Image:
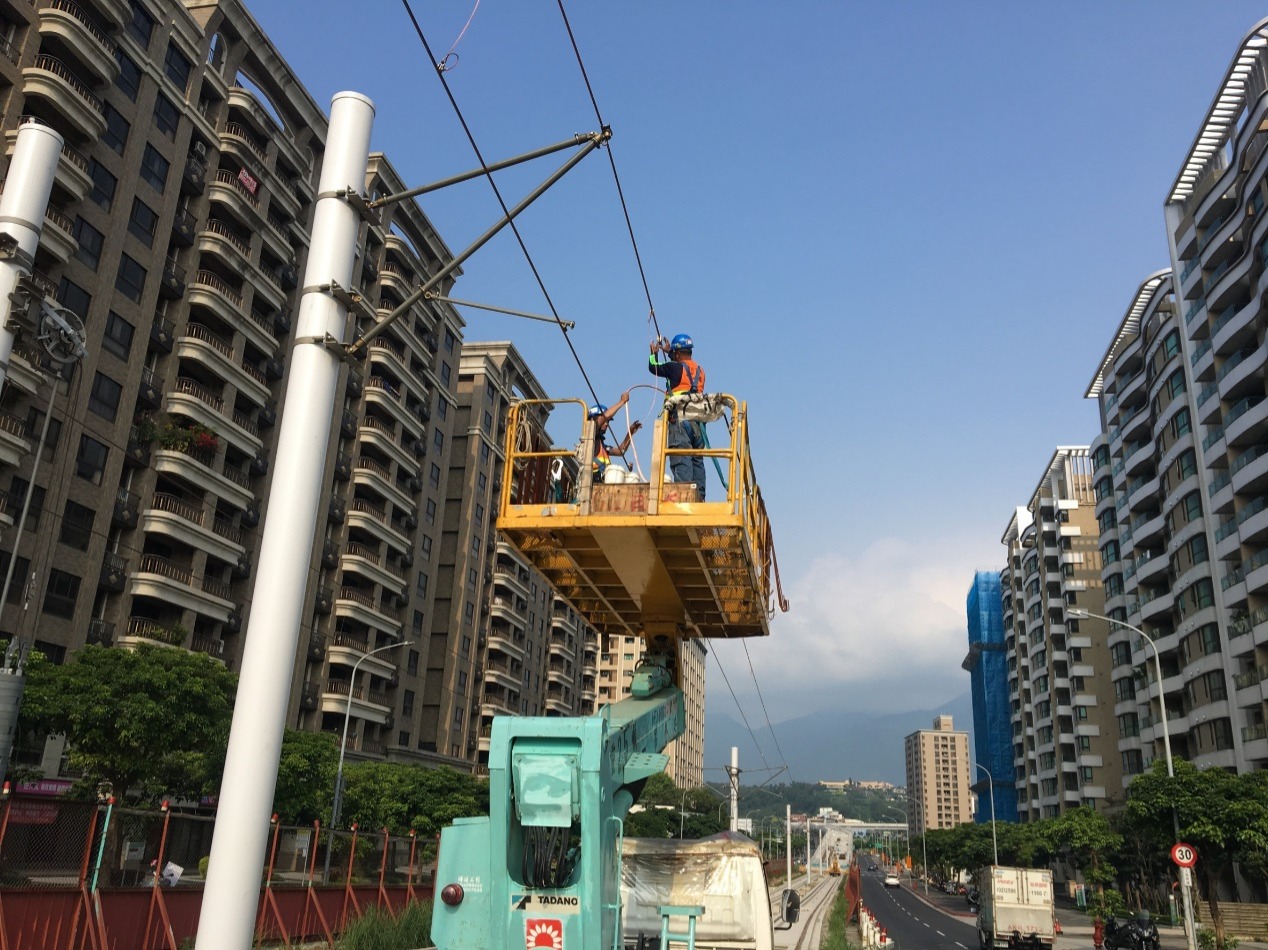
[(23, 207)]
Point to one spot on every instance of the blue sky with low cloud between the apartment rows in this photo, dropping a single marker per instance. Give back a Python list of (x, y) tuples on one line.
[(905, 233)]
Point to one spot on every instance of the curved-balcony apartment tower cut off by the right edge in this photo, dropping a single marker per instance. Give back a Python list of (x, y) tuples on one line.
[(1217, 663)]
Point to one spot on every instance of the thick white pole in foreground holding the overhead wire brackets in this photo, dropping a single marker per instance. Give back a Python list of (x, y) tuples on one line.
[(233, 891)]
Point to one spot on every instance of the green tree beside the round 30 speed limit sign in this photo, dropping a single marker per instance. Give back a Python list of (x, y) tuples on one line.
[(1224, 816)]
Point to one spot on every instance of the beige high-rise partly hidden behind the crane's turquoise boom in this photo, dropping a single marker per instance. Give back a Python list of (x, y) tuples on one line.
[(616, 672)]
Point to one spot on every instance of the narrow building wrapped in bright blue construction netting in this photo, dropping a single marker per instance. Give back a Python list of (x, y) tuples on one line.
[(988, 673)]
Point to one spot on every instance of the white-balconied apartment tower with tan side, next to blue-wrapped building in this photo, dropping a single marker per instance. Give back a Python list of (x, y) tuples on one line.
[(1063, 719)]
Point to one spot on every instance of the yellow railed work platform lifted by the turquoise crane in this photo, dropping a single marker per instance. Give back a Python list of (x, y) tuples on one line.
[(642, 557)]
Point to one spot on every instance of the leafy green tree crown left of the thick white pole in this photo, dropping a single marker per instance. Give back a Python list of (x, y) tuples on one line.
[(150, 721)]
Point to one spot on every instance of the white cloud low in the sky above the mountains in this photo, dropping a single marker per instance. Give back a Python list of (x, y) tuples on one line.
[(862, 627)]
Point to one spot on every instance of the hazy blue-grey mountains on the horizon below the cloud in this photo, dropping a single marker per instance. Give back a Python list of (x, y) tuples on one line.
[(832, 744)]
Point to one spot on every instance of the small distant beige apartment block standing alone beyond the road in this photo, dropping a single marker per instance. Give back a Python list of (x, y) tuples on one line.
[(938, 777)]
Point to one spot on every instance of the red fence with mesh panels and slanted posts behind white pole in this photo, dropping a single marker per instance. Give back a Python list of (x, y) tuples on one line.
[(82, 877)]
